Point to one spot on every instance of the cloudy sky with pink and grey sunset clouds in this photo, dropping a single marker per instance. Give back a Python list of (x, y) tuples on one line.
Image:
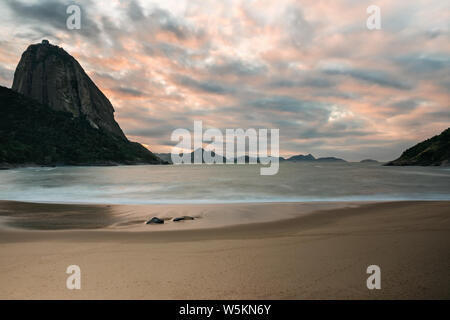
[(312, 69)]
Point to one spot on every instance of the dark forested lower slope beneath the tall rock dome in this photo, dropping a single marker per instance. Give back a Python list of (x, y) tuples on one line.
[(35, 134)]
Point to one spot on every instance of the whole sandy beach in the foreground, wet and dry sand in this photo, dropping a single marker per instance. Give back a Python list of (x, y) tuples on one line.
[(319, 254)]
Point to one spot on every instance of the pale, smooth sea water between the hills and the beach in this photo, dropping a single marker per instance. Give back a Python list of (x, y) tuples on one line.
[(170, 184)]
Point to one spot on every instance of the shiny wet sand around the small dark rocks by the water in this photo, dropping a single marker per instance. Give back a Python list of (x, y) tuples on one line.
[(53, 216)]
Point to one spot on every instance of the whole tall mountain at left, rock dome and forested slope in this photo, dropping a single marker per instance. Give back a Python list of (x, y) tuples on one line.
[(56, 115)]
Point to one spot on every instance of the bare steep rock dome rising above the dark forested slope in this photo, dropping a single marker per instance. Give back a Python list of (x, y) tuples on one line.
[(53, 77)]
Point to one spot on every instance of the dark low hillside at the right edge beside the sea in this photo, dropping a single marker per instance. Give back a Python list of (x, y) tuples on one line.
[(431, 152)]
